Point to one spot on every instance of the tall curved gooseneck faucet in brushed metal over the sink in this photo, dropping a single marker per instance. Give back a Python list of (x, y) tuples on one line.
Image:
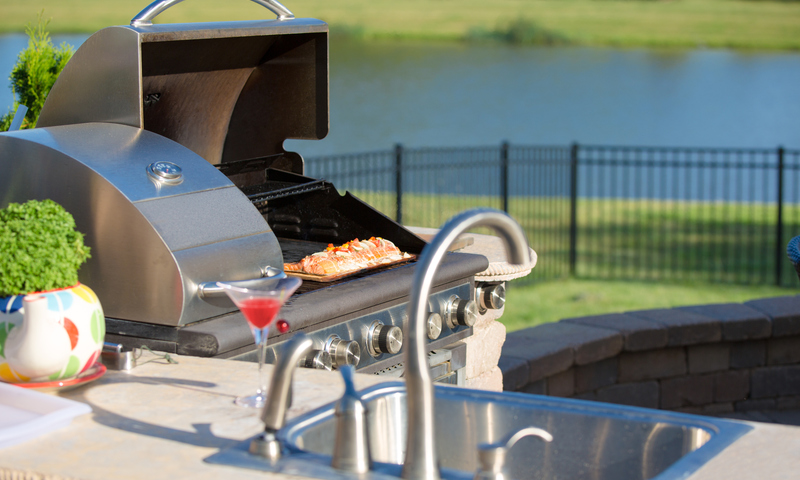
[(421, 461)]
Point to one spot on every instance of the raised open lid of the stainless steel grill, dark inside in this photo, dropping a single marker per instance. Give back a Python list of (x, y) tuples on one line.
[(228, 91)]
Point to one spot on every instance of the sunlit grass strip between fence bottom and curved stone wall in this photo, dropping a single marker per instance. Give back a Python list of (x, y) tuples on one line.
[(533, 304)]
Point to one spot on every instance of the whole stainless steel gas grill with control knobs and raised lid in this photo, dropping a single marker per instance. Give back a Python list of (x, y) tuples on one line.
[(165, 142)]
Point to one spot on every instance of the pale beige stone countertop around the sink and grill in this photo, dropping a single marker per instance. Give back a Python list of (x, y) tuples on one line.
[(161, 420)]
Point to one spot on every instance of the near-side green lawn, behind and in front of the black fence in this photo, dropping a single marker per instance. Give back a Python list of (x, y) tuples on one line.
[(665, 242)]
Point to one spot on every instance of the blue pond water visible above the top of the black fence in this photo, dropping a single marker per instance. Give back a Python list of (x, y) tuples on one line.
[(460, 95)]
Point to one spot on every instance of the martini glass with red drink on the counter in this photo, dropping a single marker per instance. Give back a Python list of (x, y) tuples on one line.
[(260, 305)]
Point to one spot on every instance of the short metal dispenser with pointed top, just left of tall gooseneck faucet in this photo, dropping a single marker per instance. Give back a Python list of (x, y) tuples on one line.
[(351, 445)]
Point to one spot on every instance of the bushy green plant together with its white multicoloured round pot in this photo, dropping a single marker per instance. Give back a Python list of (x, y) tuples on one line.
[(51, 326)]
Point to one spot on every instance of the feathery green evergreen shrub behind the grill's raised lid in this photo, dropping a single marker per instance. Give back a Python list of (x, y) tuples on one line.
[(37, 69)]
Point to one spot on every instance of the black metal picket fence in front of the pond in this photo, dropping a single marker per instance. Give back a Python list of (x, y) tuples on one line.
[(665, 214)]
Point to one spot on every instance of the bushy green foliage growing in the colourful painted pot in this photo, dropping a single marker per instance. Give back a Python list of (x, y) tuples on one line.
[(40, 249)]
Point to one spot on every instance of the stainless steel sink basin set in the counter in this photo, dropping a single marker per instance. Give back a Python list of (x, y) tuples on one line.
[(591, 440)]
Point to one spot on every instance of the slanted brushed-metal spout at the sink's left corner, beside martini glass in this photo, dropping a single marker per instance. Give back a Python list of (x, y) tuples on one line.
[(279, 396)]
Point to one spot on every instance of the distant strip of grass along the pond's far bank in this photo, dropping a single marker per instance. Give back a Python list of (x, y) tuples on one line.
[(682, 23)]
